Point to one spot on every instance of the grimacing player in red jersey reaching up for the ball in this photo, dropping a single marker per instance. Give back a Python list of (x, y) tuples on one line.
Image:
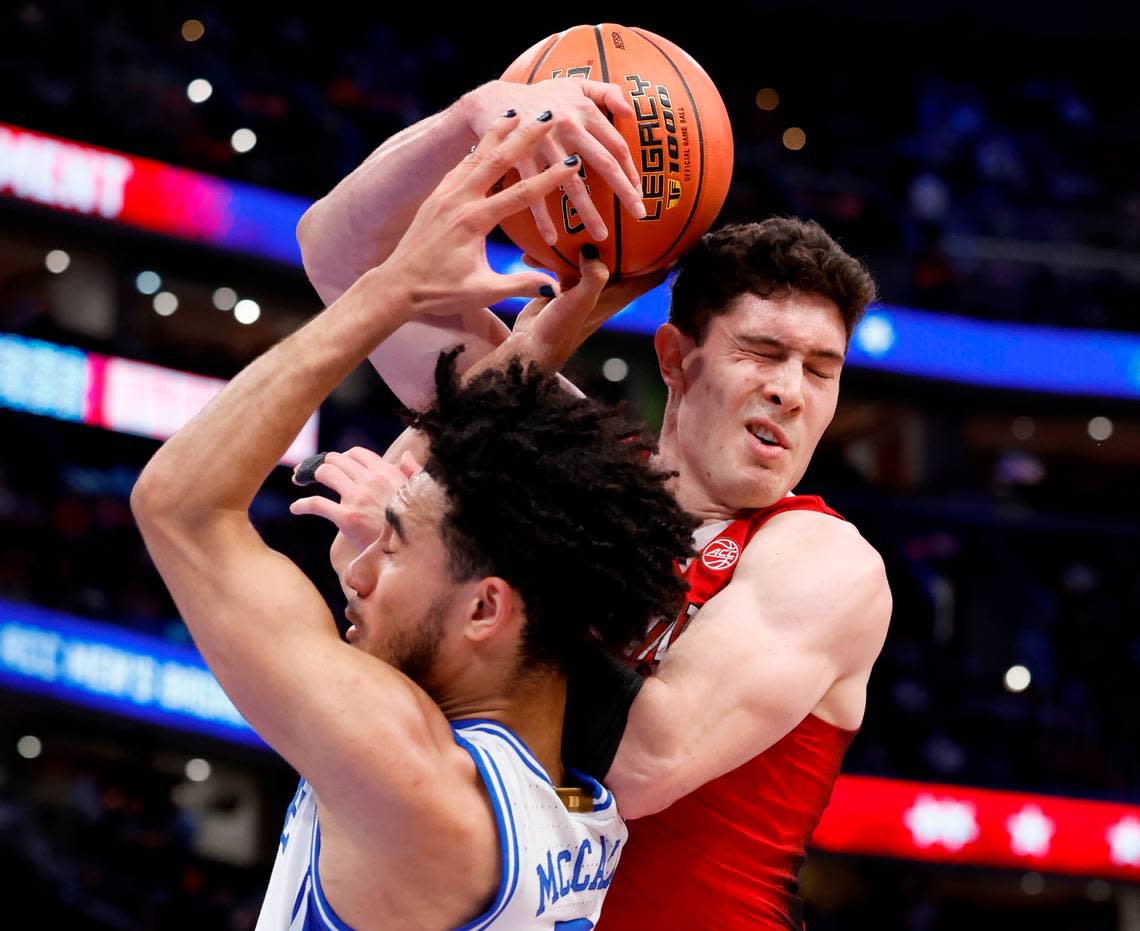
[(735, 741)]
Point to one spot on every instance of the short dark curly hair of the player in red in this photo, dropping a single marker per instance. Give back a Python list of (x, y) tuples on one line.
[(780, 255)]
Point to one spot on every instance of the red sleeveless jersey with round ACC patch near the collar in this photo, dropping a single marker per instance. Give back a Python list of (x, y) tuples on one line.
[(728, 855)]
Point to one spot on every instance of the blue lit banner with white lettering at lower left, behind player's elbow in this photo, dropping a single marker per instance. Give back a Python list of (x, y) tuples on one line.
[(115, 671)]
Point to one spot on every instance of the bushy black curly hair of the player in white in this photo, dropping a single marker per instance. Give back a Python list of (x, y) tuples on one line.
[(556, 495)]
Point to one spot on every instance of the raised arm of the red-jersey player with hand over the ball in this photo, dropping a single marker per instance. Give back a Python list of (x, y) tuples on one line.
[(357, 225)]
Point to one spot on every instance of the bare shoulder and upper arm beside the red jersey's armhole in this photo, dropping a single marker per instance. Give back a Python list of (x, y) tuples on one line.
[(794, 633)]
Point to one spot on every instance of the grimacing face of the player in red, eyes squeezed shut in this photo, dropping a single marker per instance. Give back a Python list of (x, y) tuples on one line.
[(760, 391)]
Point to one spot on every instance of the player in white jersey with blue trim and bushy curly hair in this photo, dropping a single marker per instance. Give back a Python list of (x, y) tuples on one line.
[(429, 744)]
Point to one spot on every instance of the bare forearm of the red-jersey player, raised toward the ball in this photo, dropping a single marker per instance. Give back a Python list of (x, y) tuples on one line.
[(357, 225)]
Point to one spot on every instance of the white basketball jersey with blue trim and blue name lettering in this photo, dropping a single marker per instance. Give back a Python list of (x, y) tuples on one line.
[(557, 864)]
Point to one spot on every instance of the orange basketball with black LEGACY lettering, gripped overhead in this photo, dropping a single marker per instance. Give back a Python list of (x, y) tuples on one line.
[(680, 140)]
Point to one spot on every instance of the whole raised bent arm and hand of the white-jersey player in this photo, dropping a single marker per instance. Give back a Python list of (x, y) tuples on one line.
[(260, 625)]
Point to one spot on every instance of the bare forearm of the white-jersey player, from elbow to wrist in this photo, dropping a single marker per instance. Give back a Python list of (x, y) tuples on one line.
[(259, 414)]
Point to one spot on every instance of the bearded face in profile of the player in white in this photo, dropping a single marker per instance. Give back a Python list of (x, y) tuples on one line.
[(402, 591)]
